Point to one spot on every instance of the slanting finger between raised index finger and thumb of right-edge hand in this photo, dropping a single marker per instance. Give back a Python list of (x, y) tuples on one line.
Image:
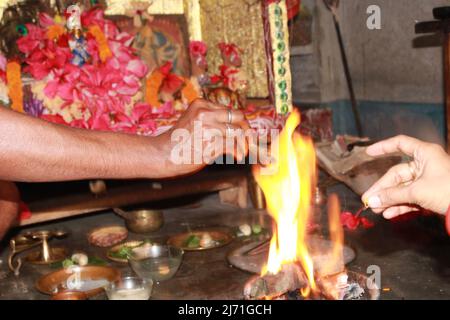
[(396, 176)]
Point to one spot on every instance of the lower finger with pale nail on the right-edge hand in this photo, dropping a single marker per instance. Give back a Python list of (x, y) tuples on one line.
[(390, 197)]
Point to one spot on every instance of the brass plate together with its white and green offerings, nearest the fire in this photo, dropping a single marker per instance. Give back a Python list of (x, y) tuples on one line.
[(200, 240)]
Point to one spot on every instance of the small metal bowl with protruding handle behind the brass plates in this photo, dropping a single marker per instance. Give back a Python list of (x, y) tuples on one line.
[(143, 220)]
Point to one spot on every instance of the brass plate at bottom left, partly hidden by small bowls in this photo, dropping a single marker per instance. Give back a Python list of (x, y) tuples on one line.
[(54, 282)]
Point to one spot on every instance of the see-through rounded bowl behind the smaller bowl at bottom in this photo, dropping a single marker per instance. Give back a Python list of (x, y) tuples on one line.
[(157, 262)]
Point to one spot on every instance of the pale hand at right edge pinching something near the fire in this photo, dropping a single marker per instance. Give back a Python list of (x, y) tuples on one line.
[(424, 182)]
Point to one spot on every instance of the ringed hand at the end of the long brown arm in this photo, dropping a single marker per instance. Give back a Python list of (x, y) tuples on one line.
[(200, 136)]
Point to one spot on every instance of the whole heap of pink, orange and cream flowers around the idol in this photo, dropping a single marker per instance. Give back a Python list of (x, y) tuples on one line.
[(104, 93)]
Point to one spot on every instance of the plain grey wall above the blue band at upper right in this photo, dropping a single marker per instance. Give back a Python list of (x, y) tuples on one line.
[(385, 64)]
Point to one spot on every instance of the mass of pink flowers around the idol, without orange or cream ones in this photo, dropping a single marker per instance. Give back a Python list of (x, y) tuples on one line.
[(105, 90)]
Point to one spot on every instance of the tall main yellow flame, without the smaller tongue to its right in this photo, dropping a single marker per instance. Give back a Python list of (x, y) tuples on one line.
[(288, 190)]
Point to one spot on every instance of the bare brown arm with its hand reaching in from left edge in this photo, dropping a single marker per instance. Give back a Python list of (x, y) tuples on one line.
[(33, 150)]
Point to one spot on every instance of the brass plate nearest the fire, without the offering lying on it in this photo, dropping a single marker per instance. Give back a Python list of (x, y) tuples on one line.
[(222, 236)]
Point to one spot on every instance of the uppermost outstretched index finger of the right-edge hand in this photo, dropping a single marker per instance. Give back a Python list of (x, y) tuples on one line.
[(404, 144)]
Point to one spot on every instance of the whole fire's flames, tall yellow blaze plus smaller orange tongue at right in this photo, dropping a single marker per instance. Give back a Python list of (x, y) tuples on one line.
[(287, 185)]
